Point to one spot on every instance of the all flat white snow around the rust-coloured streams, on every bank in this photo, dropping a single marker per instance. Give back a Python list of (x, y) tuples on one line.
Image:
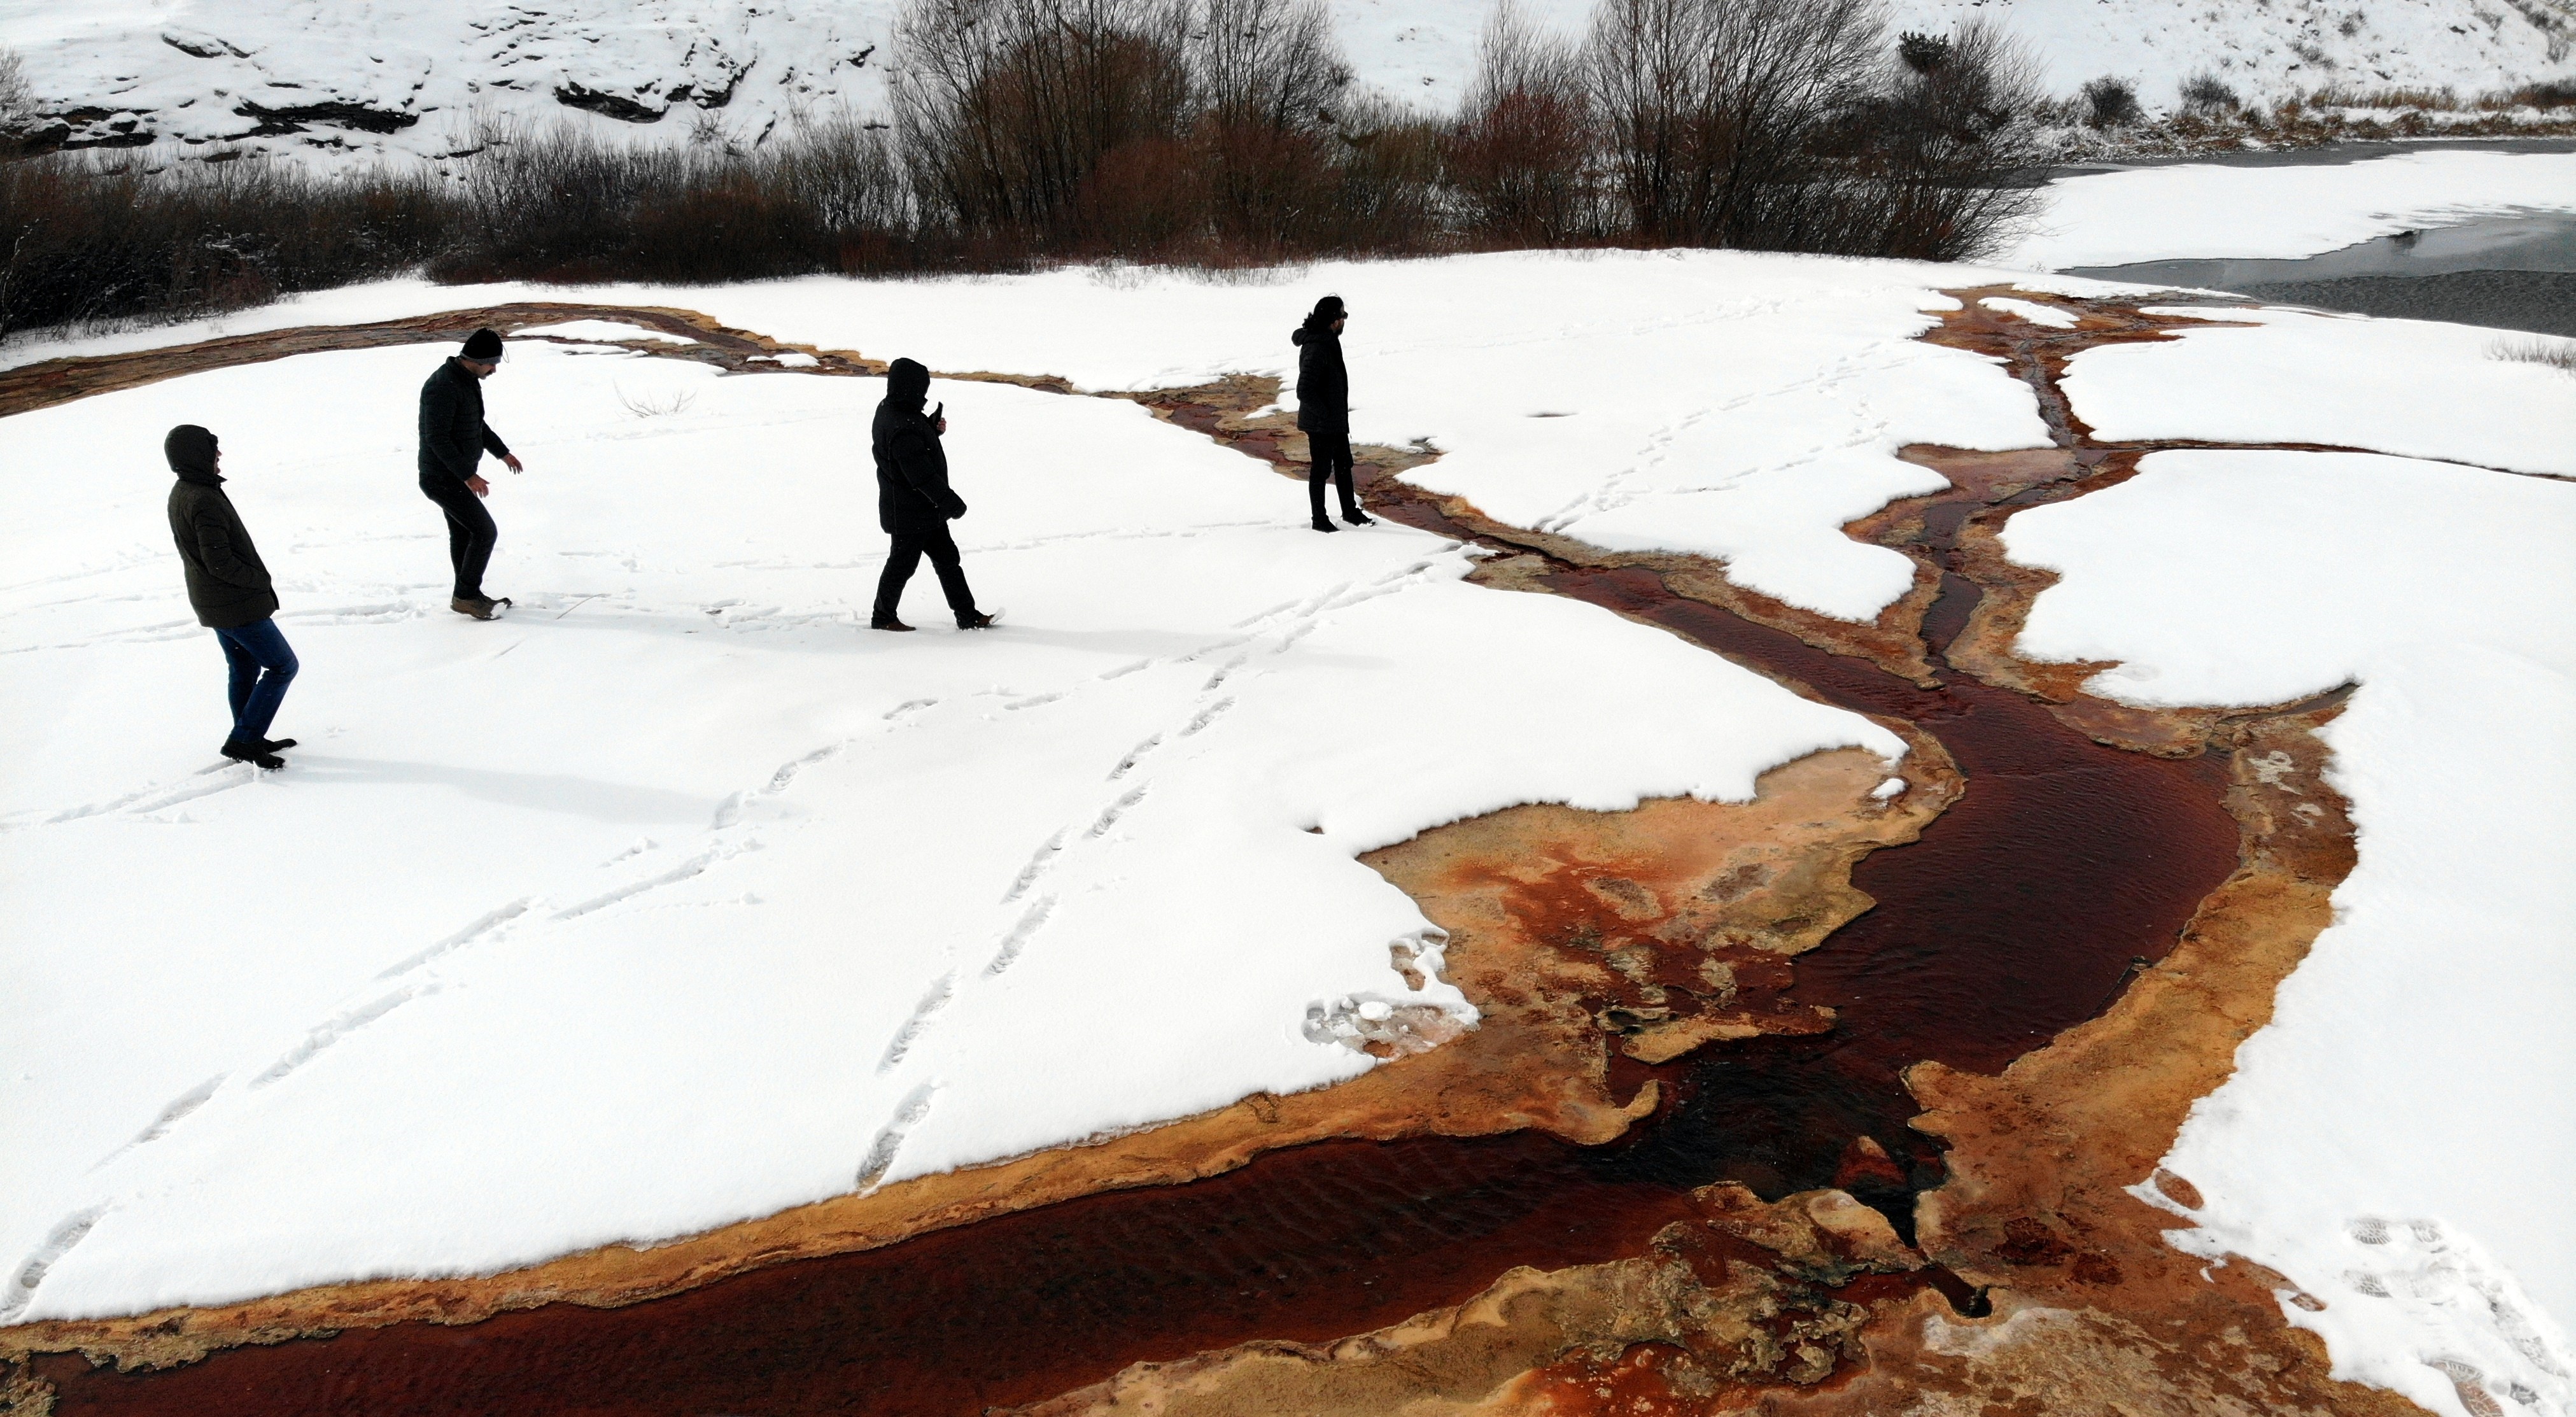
[(468, 988)]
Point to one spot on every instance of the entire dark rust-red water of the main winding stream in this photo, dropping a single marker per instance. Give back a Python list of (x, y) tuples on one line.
[(2016, 916)]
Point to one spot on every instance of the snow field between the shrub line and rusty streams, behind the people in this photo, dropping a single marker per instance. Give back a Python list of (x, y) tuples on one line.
[(1712, 403)]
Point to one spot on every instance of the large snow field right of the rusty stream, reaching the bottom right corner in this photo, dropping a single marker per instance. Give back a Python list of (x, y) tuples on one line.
[(2394, 1137)]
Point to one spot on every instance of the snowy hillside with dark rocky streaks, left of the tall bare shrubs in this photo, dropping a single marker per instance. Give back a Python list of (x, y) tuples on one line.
[(411, 76)]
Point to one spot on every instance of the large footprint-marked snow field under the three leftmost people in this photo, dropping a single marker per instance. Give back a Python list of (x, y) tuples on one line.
[(679, 898)]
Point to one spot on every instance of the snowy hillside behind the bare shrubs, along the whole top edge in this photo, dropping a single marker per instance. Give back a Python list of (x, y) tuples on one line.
[(406, 76)]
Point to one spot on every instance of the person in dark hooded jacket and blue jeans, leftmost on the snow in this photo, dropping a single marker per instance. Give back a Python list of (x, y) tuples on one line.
[(231, 594)]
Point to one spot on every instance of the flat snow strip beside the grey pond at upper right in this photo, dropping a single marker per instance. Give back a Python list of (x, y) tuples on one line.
[(2204, 210)]
